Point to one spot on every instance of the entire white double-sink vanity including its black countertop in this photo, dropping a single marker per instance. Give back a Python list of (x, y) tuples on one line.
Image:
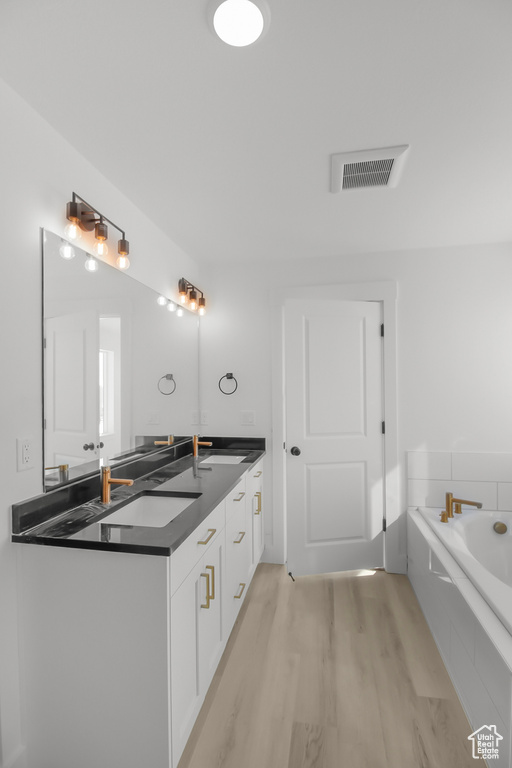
[(126, 610)]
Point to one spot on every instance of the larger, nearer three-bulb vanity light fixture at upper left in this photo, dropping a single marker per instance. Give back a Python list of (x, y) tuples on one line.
[(84, 217)]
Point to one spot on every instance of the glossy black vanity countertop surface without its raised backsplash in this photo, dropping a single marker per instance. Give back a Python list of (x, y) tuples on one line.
[(82, 527)]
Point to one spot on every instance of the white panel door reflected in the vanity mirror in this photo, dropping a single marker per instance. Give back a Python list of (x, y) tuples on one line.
[(71, 389)]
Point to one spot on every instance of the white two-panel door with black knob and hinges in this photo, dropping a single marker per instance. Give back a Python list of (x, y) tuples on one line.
[(334, 415)]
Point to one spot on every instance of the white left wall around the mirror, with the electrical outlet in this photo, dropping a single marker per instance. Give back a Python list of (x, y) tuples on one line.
[(39, 171)]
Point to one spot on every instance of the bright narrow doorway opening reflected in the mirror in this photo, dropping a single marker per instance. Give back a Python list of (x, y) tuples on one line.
[(110, 386)]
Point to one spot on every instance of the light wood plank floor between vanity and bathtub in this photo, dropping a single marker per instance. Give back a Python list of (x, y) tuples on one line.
[(336, 671)]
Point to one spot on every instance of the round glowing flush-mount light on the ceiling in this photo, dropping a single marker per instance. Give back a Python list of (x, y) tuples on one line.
[(239, 22)]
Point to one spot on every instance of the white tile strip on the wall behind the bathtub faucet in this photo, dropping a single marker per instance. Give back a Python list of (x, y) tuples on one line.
[(484, 477)]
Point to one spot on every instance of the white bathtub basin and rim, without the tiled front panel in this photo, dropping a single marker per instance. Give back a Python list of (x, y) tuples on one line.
[(484, 555)]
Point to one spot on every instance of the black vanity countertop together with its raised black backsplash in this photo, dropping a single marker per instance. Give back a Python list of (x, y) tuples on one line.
[(78, 524)]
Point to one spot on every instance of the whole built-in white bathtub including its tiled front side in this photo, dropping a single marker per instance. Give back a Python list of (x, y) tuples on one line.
[(462, 576)]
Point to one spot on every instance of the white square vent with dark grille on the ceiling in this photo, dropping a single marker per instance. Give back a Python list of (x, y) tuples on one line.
[(367, 168)]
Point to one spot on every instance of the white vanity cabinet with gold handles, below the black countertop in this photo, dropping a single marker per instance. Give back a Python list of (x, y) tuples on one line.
[(119, 649)]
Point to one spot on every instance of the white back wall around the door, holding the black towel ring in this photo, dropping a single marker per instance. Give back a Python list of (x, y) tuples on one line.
[(454, 350)]
